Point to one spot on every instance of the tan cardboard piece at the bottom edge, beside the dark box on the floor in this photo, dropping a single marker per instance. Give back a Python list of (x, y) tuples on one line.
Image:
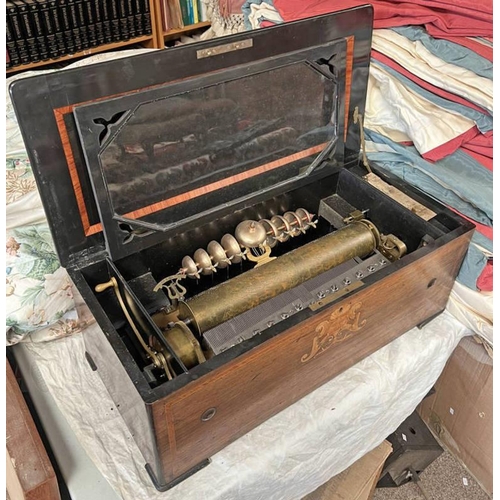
[(358, 481)]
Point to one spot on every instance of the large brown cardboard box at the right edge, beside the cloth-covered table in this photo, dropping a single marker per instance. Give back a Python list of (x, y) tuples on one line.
[(460, 413)]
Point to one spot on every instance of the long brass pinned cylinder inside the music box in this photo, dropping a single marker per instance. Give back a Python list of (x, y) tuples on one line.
[(248, 290)]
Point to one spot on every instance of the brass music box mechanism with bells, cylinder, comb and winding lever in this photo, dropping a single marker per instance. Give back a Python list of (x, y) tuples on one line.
[(194, 329)]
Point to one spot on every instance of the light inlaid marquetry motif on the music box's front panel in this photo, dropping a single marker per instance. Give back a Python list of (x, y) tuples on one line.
[(340, 326)]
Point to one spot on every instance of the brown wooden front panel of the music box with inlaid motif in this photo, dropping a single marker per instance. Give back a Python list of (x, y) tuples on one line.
[(202, 418)]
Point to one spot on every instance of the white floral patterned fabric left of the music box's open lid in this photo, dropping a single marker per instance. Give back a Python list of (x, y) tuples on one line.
[(41, 302)]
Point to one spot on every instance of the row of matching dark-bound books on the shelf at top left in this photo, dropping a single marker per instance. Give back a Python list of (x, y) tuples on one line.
[(41, 30)]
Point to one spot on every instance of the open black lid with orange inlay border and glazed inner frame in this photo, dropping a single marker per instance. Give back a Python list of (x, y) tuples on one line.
[(128, 150)]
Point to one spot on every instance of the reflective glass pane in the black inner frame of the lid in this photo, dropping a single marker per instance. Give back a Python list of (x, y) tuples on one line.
[(249, 133)]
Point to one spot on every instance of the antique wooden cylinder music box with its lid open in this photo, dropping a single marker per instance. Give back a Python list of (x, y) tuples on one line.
[(210, 204)]
